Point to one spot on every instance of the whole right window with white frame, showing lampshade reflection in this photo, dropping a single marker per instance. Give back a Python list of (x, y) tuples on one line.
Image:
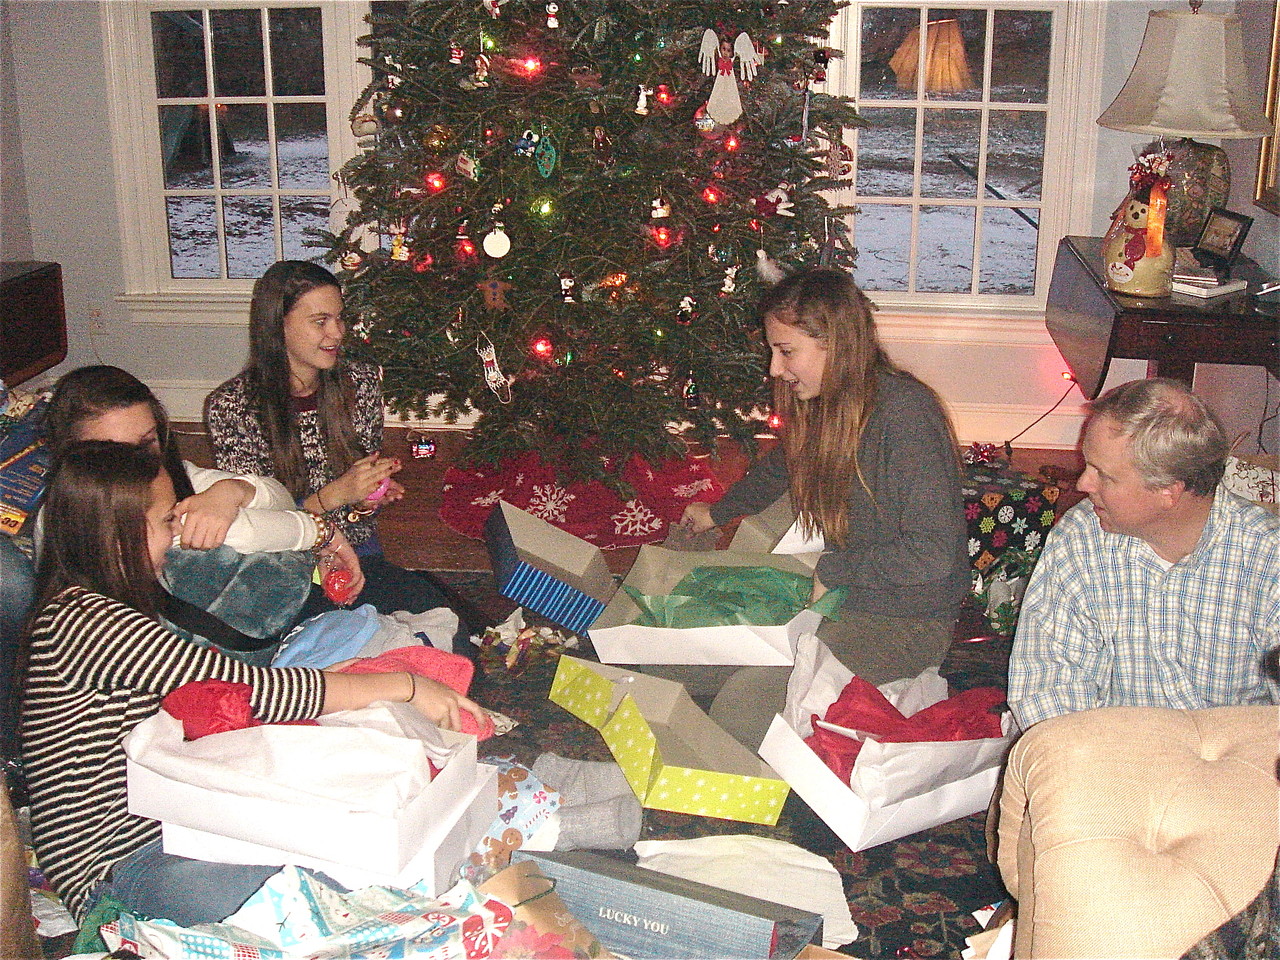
[(973, 112)]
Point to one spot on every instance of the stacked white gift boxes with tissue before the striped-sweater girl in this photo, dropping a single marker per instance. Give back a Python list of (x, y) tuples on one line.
[(353, 801)]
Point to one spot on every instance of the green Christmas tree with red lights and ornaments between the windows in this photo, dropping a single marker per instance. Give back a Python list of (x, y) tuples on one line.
[(565, 212)]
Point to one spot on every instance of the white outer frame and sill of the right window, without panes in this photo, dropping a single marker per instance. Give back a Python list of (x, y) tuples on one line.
[(1071, 159)]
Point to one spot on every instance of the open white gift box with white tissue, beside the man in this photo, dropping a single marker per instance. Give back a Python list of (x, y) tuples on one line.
[(895, 789)]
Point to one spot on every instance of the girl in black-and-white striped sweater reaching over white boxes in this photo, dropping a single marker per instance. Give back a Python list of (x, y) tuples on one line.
[(97, 661)]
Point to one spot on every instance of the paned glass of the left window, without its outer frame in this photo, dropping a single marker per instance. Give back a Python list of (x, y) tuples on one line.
[(241, 102)]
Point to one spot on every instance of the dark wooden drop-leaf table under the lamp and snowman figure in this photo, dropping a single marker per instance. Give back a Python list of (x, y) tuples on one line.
[(1091, 324)]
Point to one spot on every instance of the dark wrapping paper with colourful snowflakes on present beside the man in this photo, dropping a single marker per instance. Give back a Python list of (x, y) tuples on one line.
[(1005, 510)]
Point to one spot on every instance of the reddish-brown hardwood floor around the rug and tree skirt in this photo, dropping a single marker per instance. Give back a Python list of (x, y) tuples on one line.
[(414, 536)]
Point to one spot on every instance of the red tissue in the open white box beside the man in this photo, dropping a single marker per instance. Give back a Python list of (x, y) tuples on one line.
[(862, 707)]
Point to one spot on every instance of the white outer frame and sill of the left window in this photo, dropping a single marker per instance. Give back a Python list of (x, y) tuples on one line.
[(152, 295)]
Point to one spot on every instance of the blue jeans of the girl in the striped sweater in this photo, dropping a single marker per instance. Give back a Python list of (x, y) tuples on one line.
[(157, 884)]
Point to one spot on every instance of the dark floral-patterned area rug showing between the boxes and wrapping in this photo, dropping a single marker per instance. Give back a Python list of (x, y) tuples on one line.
[(912, 898)]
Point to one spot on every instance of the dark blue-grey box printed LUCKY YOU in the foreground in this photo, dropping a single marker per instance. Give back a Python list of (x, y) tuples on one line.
[(642, 913)]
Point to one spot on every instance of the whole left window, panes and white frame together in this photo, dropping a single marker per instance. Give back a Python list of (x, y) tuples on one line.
[(230, 120)]
